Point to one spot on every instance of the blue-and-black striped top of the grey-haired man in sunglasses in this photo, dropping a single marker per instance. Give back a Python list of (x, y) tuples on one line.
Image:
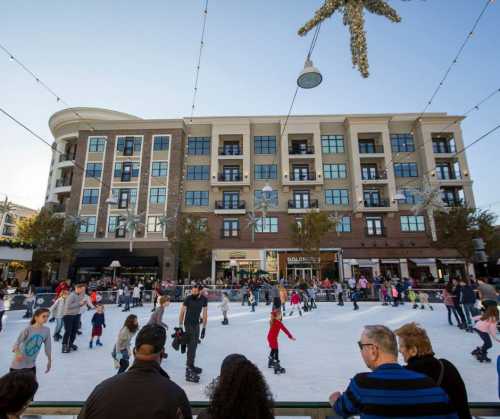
[(393, 391)]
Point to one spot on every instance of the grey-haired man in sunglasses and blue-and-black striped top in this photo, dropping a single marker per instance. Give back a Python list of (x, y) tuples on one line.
[(405, 393)]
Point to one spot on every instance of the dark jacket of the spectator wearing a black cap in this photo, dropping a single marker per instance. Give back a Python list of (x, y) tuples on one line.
[(144, 391)]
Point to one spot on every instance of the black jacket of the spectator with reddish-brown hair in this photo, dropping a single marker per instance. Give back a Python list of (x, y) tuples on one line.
[(451, 383)]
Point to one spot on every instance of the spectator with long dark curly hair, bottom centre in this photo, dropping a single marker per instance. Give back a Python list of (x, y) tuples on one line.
[(239, 392)]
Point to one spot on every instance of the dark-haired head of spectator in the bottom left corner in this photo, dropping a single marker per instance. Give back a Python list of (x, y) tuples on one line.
[(17, 389)]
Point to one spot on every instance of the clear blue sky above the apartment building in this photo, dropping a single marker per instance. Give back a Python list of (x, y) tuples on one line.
[(140, 57)]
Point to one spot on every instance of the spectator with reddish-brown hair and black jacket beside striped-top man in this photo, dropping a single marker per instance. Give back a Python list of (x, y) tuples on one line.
[(416, 348)]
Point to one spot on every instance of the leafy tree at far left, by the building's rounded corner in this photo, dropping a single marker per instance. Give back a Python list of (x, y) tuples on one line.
[(53, 238)]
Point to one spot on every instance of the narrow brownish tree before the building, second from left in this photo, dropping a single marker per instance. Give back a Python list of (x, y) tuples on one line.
[(193, 243)]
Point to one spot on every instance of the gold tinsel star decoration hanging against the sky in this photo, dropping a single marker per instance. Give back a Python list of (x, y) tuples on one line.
[(353, 11)]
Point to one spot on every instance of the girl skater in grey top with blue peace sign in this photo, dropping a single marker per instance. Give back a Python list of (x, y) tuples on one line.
[(30, 341)]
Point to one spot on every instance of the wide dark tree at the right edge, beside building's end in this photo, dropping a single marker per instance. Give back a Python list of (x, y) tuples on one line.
[(457, 228)]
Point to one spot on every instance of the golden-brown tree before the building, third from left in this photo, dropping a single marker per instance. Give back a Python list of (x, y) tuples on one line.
[(308, 233)]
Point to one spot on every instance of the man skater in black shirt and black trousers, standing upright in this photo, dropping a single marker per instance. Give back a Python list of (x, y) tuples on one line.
[(189, 317)]
